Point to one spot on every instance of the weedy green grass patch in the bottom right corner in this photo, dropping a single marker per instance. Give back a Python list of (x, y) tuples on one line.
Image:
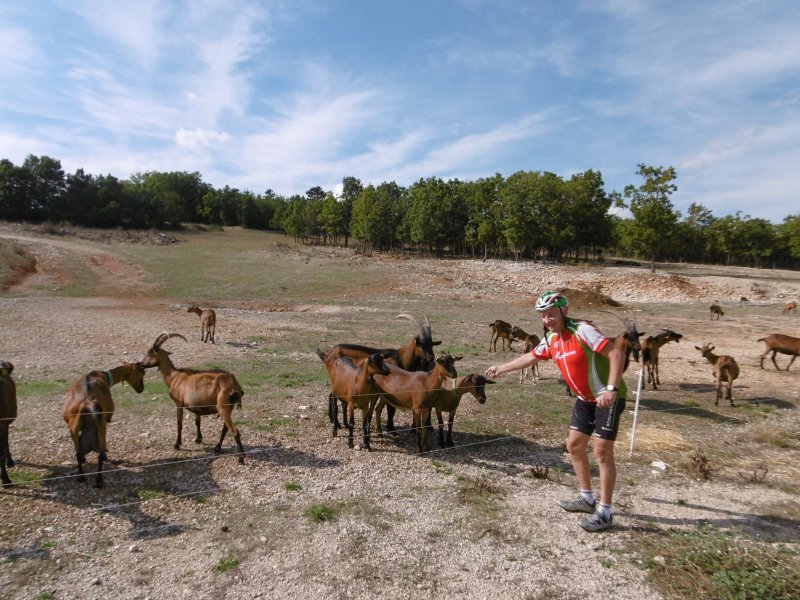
[(712, 563)]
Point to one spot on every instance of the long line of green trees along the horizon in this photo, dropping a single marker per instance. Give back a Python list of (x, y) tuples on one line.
[(528, 215)]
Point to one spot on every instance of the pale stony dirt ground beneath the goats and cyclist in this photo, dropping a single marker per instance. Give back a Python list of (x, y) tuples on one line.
[(471, 523)]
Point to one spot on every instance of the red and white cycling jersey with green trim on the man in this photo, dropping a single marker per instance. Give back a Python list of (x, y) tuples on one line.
[(576, 351)]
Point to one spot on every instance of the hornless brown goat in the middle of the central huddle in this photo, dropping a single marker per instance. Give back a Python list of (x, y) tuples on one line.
[(414, 391)]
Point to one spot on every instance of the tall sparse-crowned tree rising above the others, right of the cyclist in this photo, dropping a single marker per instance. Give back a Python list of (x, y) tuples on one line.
[(654, 219)]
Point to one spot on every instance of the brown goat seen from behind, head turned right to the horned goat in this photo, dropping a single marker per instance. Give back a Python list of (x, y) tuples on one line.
[(88, 408)]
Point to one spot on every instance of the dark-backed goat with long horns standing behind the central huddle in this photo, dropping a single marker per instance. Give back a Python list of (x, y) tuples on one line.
[(416, 355)]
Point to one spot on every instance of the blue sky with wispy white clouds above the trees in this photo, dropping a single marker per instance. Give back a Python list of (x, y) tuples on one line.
[(290, 95)]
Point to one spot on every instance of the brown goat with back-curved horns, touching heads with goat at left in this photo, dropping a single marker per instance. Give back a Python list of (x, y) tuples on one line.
[(211, 392)]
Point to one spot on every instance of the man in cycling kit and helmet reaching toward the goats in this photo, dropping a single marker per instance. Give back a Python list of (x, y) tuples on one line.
[(592, 367)]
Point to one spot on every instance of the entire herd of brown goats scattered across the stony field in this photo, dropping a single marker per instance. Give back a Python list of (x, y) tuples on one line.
[(410, 378)]
